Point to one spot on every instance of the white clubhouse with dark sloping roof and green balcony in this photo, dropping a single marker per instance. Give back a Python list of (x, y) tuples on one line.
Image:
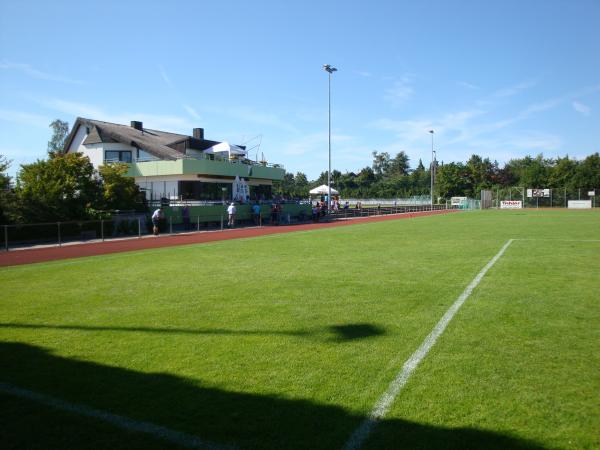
[(174, 166)]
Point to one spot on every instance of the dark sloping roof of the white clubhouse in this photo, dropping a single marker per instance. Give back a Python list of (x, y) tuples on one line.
[(162, 144)]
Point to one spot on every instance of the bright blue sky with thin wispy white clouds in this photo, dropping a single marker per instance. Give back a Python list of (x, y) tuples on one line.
[(501, 79)]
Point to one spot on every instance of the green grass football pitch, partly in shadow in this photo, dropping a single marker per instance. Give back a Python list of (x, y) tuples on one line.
[(287, 341)]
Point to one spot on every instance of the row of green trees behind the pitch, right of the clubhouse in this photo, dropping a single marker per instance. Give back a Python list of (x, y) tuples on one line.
[(389, 177)]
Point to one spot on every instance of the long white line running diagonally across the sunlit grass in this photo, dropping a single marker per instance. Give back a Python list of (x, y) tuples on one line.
[(384, 403)]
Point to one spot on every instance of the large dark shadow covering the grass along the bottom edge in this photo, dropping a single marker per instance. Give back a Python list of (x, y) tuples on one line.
[(248, 421)]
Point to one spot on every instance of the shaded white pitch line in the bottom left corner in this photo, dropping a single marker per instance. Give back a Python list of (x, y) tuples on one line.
[(176, 437)]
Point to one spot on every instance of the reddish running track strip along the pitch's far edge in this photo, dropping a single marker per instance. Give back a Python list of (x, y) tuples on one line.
[(41, 254)]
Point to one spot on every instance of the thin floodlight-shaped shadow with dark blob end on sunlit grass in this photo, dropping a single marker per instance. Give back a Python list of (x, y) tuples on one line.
[(348, 332)]
